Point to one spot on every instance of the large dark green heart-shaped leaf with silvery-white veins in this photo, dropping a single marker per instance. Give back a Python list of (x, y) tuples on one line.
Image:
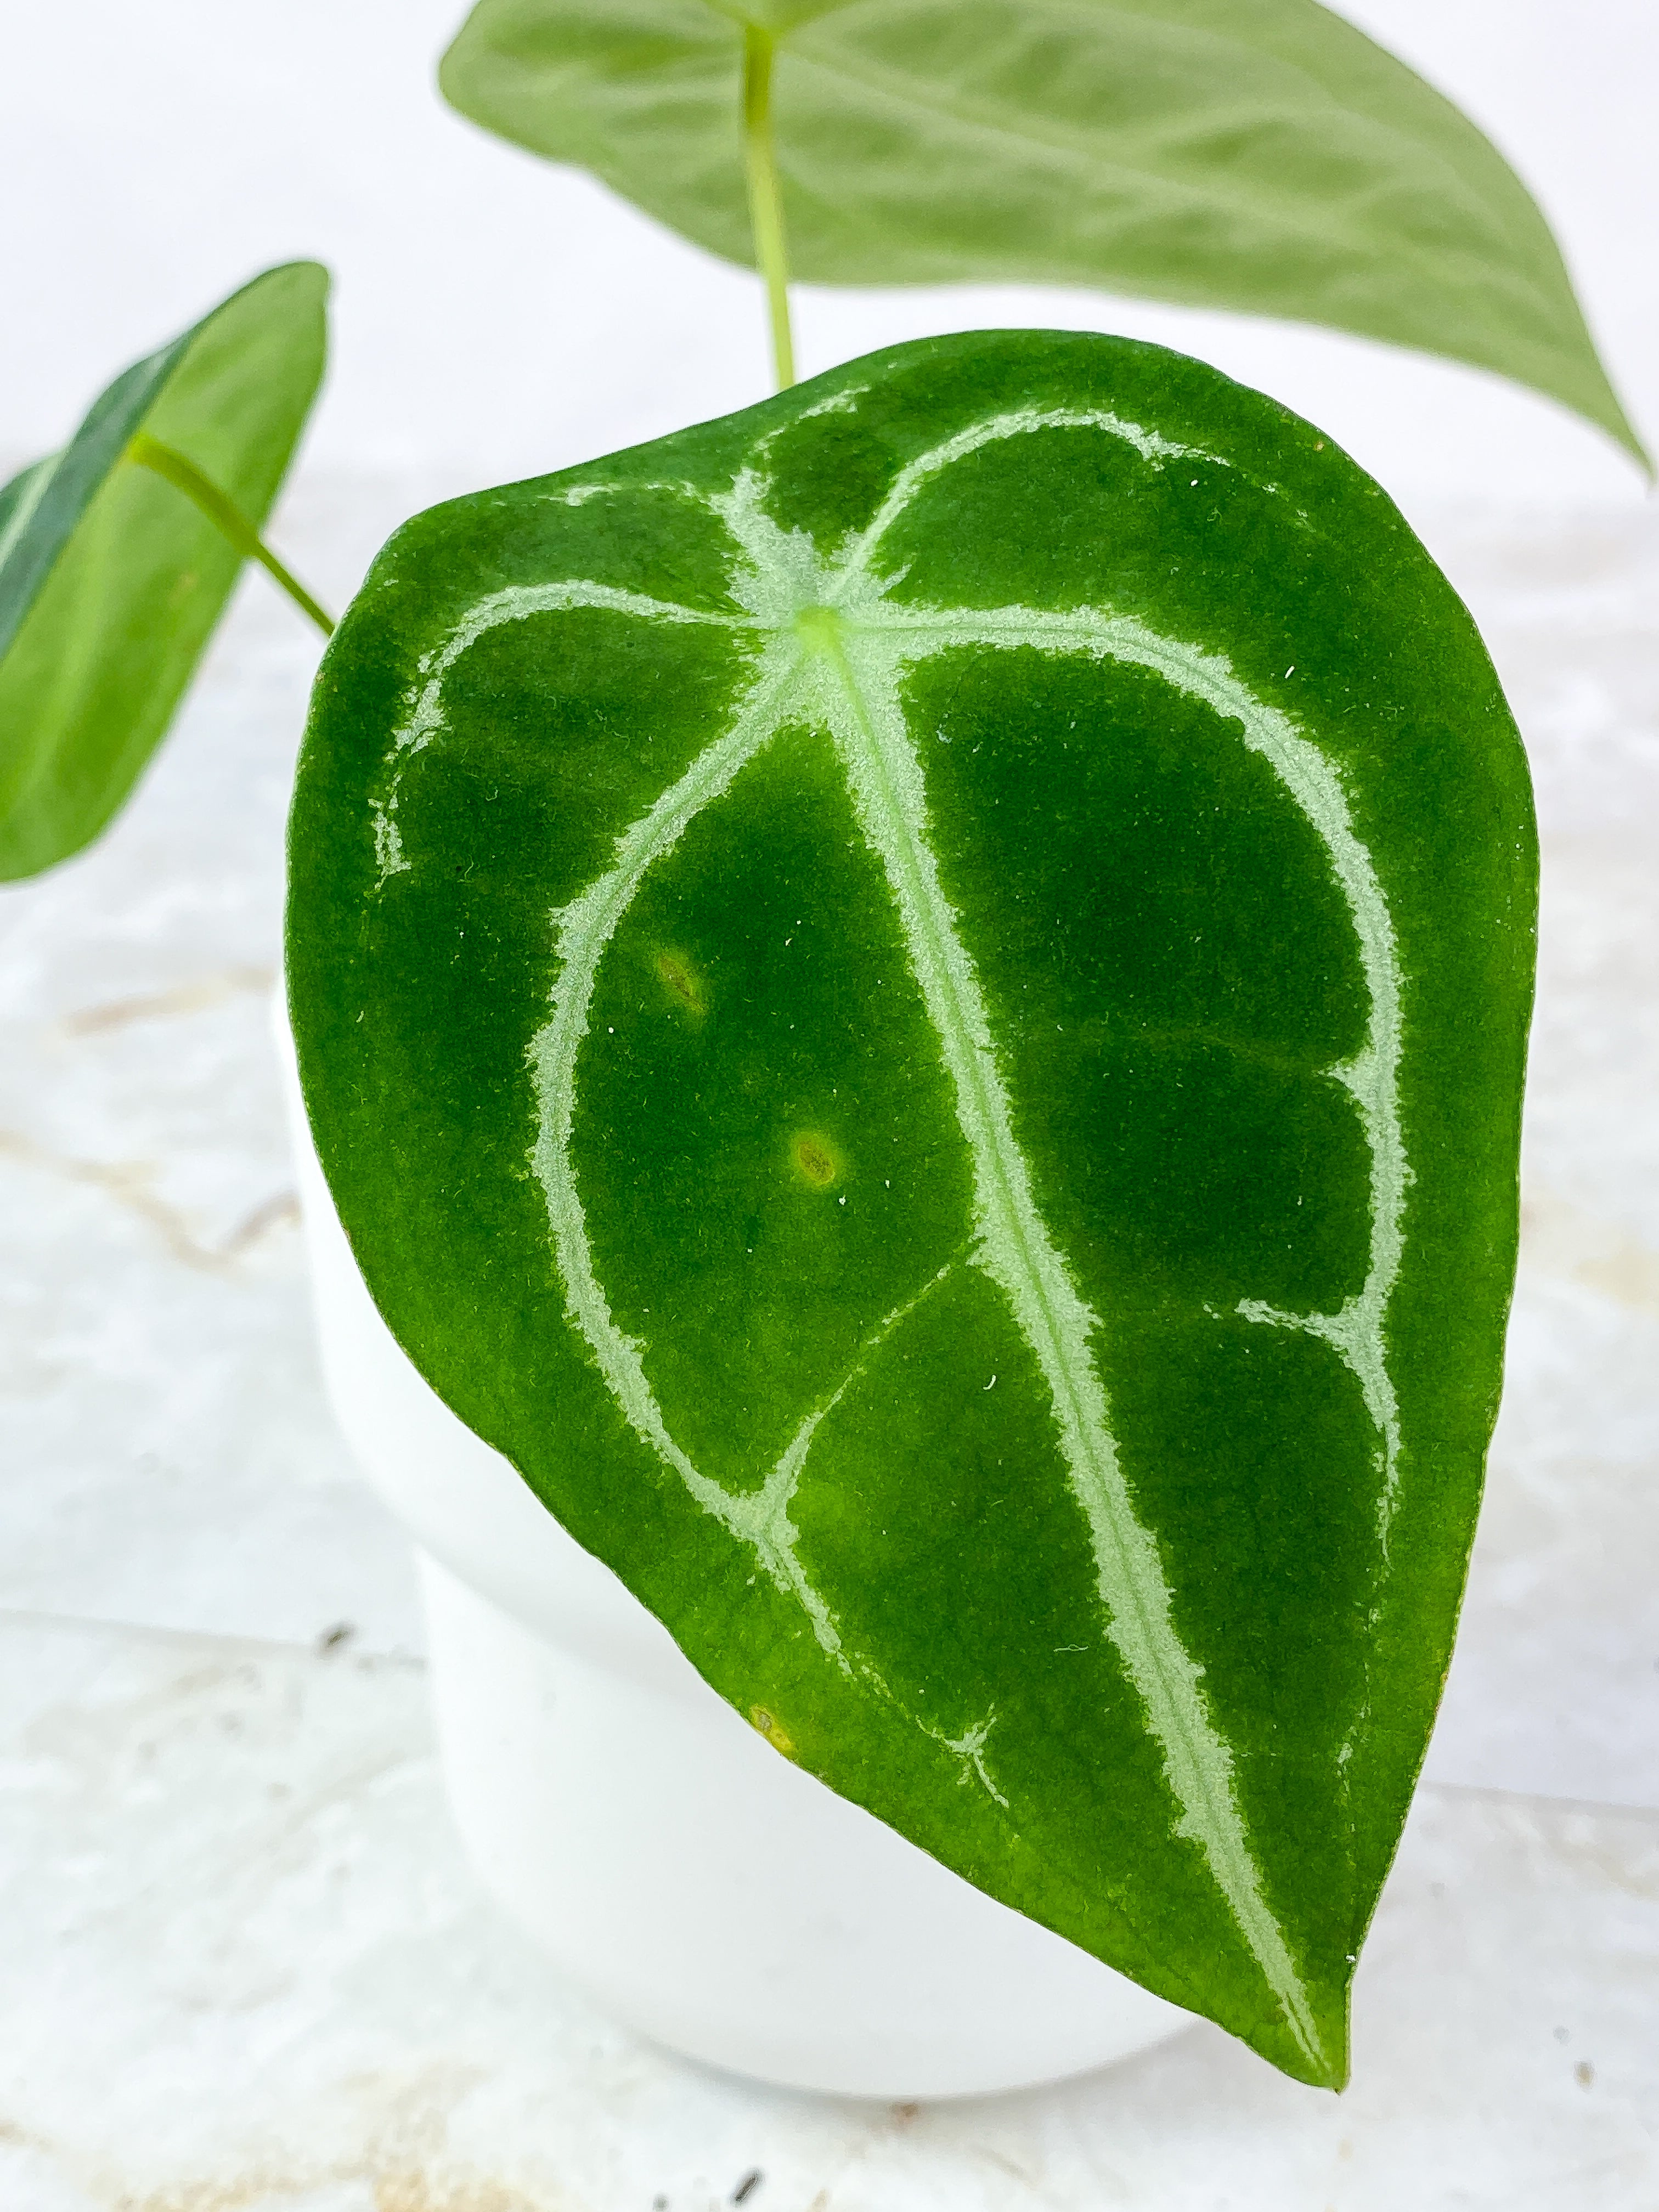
[(915, 1001)]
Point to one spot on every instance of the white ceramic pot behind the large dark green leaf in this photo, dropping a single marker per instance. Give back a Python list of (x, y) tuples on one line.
[(693, 1881)]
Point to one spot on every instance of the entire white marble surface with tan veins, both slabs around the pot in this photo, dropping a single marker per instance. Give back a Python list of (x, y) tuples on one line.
[(242, 1965)]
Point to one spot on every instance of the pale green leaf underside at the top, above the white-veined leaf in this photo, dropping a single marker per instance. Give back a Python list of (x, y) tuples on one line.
[(1227, 154)]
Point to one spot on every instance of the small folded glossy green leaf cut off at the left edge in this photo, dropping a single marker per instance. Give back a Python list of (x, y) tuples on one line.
[(112, 583)]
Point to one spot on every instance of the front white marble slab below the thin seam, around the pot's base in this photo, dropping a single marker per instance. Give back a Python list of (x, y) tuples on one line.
[(247, 1970)]
